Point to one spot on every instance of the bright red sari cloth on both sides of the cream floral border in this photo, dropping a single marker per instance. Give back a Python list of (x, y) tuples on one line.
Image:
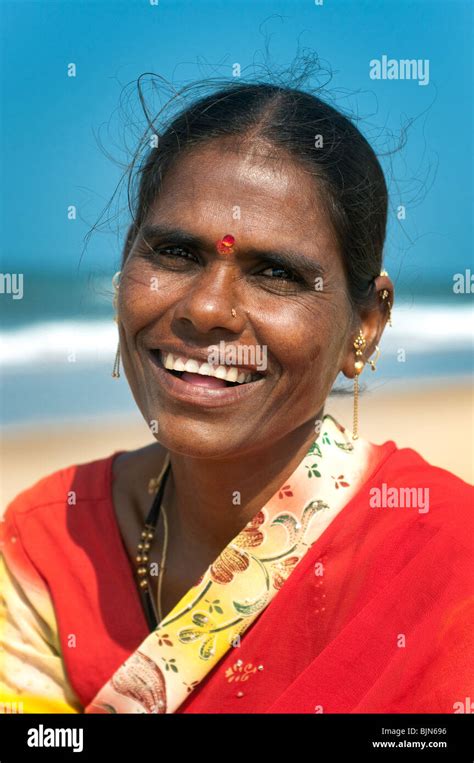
[(387, 629)]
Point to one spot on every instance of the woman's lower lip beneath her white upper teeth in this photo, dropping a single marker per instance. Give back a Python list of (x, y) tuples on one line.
[(206, 391)]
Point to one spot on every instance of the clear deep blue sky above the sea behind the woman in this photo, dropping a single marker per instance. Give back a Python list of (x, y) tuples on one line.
[(50, 123)]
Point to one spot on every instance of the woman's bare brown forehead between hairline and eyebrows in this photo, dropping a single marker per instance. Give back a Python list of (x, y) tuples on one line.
[(210, 185)]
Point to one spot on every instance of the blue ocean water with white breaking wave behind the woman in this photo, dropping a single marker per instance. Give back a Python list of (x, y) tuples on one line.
[(57, 348)]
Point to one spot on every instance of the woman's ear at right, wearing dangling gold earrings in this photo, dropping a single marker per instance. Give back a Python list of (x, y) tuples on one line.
[(372, 323)]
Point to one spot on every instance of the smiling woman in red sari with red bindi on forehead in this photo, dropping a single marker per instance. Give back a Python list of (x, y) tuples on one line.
[(239, 564)]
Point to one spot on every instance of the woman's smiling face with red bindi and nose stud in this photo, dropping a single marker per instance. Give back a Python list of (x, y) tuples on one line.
[(178, 295)]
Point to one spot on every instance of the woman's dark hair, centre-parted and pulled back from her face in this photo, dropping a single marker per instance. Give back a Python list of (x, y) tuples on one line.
[(341, 160)]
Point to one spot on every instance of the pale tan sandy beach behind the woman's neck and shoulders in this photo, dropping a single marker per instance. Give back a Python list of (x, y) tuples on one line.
[(435, 420)]
